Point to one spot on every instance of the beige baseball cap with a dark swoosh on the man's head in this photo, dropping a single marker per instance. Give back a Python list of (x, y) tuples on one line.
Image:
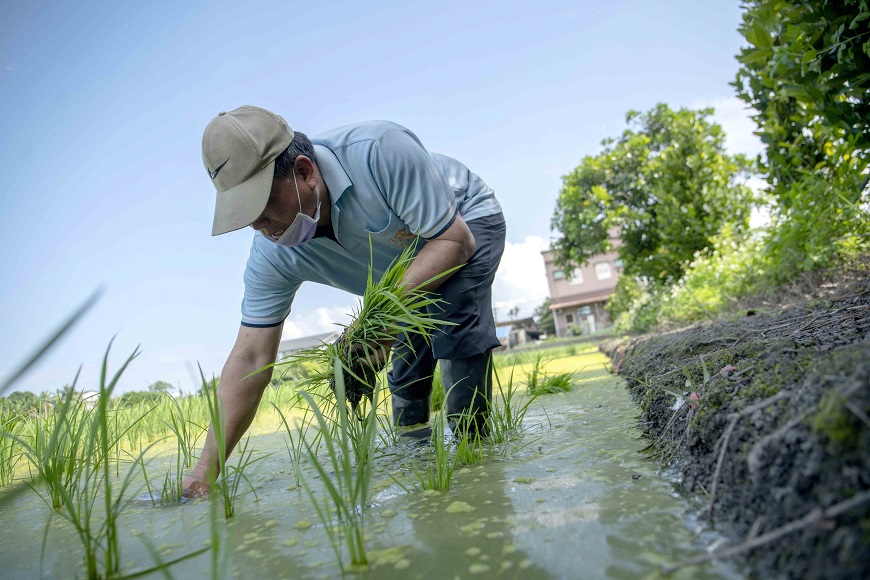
[(239, 150)]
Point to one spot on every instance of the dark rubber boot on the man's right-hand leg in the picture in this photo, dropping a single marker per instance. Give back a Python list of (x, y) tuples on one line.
[(468, 386)]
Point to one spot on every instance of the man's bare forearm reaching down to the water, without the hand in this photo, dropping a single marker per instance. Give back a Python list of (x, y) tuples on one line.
[(240, 399)]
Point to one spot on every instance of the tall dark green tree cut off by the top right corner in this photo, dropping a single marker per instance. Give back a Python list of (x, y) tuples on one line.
[(806, 72)]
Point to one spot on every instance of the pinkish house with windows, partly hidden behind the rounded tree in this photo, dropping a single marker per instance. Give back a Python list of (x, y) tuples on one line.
[(578, 301)]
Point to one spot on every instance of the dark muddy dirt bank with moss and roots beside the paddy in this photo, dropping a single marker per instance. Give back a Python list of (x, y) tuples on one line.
[(765, 416)]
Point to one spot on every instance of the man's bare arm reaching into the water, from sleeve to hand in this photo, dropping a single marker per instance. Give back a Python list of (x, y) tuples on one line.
[(254, 349)]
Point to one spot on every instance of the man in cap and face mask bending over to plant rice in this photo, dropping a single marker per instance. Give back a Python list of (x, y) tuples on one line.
[(315, 205)]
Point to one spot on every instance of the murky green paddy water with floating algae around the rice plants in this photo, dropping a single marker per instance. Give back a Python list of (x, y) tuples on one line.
[(578, 501)]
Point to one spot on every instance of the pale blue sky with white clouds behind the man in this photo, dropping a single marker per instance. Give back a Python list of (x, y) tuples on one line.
[(104, 103)]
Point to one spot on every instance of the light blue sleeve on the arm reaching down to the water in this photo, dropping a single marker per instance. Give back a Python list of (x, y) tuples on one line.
[(269, 291)]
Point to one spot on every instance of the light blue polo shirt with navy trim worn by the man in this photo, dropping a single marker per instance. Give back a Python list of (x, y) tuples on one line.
[(383, 185)]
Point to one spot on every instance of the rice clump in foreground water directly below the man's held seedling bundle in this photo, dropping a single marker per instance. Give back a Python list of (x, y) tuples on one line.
[(350, 446)]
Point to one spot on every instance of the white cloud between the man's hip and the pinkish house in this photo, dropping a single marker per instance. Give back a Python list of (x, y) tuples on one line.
[(521, 280)]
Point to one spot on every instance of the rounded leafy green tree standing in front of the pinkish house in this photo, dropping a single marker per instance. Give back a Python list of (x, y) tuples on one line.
[(666, 185)]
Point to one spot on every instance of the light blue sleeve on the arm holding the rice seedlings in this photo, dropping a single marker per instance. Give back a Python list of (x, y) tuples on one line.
[(411, 184)]
